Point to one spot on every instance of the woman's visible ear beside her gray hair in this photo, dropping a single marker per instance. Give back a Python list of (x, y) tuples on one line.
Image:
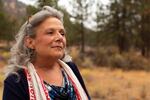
[(29, 42)]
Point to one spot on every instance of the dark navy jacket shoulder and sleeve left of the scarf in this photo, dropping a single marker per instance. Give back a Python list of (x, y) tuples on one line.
[(16, 86)]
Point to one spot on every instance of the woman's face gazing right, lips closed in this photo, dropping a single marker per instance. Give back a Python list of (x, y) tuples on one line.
[(50, 40)]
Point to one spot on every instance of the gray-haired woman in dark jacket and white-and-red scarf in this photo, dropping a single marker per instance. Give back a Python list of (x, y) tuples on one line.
[(39, 68)]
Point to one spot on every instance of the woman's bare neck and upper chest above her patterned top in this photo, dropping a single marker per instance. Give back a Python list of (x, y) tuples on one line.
[(49, 71)]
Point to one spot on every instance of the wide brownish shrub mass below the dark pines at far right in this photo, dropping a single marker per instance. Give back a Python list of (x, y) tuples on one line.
[(132, 60)]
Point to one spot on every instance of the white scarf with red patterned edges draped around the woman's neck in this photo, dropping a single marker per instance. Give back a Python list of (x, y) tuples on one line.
[(37, 89)]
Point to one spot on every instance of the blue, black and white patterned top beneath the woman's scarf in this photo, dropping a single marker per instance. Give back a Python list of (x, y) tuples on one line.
[(65, 92)]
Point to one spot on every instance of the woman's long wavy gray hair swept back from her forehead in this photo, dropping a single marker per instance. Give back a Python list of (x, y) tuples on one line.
[(20, 54)]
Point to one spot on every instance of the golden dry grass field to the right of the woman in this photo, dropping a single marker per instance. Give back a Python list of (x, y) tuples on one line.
[(105, 84)]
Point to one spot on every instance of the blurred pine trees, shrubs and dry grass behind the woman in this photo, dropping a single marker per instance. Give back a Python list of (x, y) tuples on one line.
[(109, 40)]
